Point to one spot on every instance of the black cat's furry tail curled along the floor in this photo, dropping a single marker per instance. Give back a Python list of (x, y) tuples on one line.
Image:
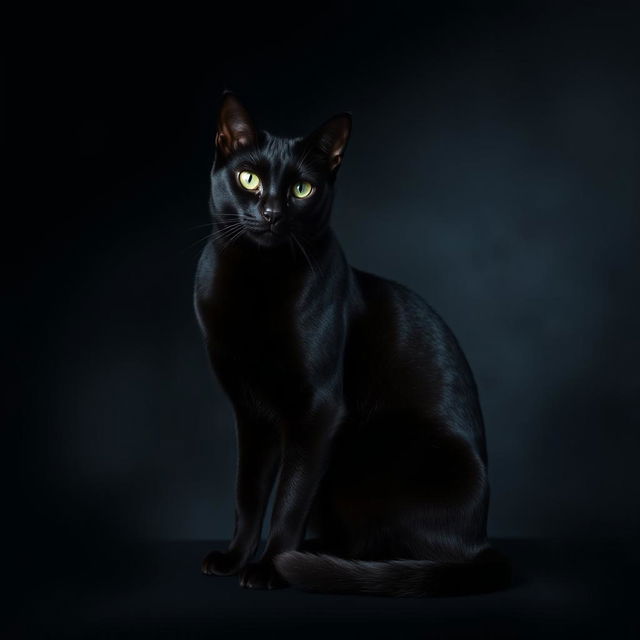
[(488, 571)]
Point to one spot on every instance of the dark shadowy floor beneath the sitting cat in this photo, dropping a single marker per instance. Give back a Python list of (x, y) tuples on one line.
[(562, 589)]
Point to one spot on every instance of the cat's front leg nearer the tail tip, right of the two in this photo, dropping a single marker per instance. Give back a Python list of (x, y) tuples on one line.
[(305, 458)]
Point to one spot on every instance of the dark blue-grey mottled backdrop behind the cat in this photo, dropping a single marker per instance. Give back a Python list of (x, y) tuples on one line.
[(493, 167)]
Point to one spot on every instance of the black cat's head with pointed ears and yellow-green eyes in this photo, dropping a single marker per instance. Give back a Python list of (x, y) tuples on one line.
[(269, 189)]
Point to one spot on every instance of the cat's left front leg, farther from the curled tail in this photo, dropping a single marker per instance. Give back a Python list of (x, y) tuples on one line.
[(258, 456)]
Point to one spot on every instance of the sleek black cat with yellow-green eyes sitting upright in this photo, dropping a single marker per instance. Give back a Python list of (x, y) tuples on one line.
[(346, 386)]
